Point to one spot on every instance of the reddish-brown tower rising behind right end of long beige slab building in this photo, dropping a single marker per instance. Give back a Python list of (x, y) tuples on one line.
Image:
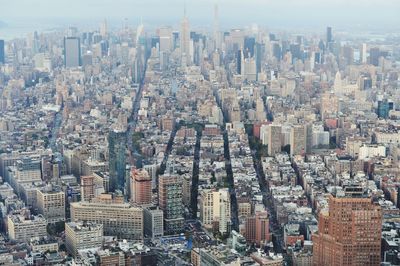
[(141, 186)]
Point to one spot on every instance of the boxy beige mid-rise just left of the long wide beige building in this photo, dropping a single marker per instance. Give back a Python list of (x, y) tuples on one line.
[(51, 204)]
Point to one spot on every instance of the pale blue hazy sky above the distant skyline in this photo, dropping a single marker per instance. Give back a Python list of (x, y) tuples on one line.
[(285, 13)]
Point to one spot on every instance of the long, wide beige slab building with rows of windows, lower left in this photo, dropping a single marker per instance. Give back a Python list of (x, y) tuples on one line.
[(118, 218)]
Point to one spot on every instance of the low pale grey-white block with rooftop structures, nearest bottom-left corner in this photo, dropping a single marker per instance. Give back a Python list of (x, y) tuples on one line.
[(22, 226)]
